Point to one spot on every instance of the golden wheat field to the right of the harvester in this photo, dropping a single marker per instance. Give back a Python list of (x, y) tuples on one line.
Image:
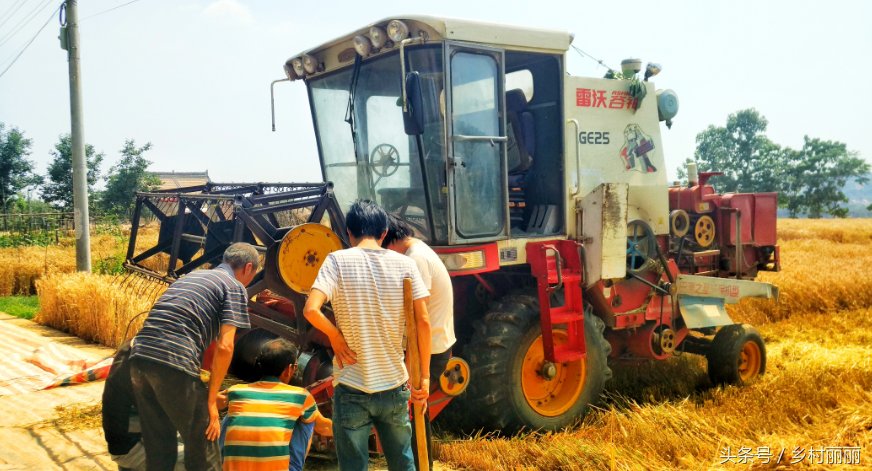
[(816, 394)]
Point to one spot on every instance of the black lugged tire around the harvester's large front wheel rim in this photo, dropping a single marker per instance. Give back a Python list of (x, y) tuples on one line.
[(496, 354)]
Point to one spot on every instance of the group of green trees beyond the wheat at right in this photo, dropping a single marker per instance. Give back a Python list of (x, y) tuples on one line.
[(809, 181)]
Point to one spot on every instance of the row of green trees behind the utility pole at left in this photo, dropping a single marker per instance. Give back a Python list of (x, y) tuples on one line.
[(18, 174)]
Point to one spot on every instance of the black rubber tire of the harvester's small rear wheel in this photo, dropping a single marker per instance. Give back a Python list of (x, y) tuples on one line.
[(724, 353)]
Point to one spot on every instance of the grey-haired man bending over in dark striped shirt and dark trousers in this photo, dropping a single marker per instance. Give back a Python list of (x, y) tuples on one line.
[(202, 307)]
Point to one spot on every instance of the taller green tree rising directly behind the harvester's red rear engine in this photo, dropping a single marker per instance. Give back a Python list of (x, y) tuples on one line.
[(749, 160)]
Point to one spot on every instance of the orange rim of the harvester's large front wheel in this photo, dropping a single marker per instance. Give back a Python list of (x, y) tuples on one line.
[(551, 397)]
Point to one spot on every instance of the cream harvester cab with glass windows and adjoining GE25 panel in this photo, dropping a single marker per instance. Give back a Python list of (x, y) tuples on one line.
[(475, 134)]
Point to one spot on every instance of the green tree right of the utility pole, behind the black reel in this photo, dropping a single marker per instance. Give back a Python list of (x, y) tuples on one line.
[(127, 177)]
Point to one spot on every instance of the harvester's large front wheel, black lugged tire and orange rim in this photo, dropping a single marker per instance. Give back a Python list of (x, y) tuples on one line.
[(511, 384)]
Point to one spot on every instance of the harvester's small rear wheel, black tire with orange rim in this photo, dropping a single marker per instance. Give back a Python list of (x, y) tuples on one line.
[(737, 355)]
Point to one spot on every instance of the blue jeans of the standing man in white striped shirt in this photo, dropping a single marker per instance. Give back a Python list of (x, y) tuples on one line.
[(356, 412)]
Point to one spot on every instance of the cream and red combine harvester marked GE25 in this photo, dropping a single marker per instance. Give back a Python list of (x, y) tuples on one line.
[(545, 195)]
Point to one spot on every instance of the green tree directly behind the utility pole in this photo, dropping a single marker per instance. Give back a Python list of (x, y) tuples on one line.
[(58, 190)]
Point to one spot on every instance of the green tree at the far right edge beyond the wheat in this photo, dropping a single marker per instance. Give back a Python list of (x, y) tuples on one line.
[(816, 176)]
